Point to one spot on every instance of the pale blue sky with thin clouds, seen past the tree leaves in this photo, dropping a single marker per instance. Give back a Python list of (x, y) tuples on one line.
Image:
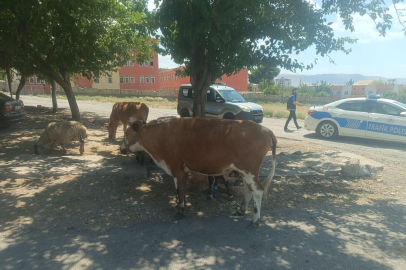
[(372, 55)]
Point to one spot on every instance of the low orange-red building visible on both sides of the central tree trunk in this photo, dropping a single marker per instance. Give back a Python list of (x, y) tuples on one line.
[(168, 81)]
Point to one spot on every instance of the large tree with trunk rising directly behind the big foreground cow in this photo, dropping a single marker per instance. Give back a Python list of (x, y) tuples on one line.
[(213, 37)]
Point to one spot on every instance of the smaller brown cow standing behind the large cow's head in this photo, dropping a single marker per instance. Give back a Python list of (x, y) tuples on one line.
[(124, 112)]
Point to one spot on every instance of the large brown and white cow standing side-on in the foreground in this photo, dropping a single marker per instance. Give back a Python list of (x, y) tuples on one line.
[(210, 147)]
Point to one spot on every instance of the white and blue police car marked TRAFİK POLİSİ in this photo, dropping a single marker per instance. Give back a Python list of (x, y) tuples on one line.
[(371, 117)]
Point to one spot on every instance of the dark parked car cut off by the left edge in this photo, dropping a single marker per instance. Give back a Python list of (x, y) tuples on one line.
[(11, 110)]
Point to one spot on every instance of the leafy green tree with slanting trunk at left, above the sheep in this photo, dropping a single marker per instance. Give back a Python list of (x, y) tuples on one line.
[(59, 38)]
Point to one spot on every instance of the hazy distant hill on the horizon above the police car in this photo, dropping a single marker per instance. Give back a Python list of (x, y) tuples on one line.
[(335, 79)]
